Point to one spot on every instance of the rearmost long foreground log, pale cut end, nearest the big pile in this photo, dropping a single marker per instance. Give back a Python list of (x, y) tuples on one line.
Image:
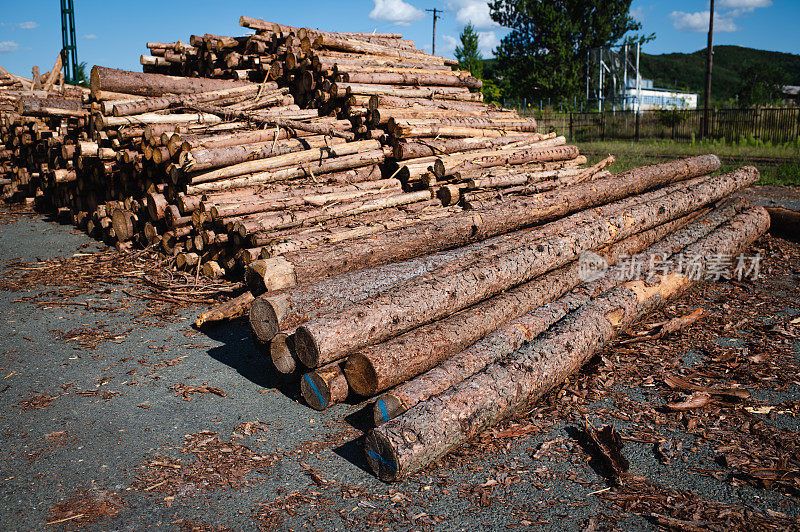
[(463, 228)]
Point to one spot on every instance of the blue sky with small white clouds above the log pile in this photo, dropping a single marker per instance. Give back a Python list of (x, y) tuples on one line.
[(114, 33)]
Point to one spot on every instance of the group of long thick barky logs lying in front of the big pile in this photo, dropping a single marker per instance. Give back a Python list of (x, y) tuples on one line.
[(419, 315)]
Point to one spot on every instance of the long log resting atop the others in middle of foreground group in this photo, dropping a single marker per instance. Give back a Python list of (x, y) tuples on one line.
[(437, 294)]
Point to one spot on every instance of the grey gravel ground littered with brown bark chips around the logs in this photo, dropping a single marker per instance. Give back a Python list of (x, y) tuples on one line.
[(118, 414)]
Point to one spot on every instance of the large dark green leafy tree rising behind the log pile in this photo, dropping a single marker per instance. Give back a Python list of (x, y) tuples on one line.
[(545, 53)]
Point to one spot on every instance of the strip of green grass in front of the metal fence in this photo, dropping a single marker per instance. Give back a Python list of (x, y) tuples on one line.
[(634, 154)]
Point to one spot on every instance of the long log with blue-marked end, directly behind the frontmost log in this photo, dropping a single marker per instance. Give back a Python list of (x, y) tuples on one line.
[(512, 335)]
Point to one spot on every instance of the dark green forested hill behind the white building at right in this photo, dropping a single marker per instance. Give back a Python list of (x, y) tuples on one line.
[(732, 66)]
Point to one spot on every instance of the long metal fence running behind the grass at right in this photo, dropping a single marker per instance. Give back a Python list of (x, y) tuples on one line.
[(776, 125)]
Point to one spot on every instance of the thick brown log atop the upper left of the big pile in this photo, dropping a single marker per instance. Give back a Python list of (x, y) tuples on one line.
[(124, 81)]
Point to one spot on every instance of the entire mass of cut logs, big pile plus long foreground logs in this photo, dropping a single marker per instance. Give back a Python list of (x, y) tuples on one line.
[(399, 238)]
